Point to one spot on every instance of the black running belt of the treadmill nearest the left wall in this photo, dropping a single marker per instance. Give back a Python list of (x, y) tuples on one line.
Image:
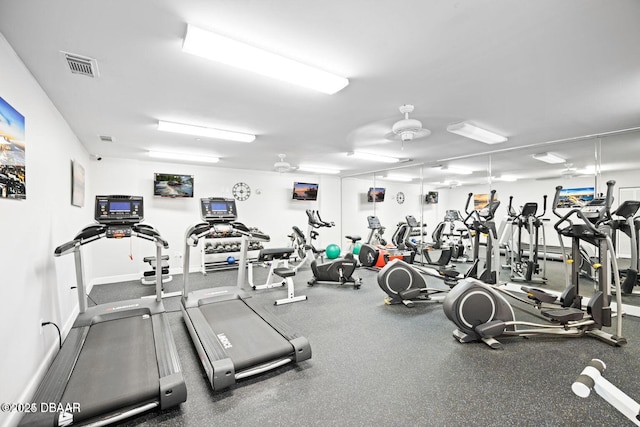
[(116, 368)]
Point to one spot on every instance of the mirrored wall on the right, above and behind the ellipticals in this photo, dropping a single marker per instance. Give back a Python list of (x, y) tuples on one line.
[(428, 190)]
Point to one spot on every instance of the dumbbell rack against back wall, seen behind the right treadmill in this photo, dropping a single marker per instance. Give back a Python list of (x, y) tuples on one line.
[(217, 247)]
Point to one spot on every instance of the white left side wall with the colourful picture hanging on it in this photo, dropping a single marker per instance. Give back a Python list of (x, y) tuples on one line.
[(35, 287)]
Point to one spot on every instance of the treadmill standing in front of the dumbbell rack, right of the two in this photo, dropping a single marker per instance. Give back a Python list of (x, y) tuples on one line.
[(234, 337)]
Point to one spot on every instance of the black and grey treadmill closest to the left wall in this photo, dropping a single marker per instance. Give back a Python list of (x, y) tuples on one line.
[(119, 359)]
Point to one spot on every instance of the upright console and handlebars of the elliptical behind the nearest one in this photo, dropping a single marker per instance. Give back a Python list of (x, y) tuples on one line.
[(480, 222)]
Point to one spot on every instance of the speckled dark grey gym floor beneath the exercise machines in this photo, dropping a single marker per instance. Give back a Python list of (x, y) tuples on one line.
[(375, 364)]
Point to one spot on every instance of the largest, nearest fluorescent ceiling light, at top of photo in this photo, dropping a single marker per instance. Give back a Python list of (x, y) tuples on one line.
[(208, 45)]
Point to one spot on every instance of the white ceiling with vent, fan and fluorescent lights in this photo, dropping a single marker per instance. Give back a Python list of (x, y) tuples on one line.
[(535, 71)]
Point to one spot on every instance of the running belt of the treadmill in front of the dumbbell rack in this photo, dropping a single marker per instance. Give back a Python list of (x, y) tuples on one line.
[(247, 338)]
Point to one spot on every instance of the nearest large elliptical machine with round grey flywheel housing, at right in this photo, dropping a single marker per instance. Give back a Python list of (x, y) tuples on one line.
[(482, 313)]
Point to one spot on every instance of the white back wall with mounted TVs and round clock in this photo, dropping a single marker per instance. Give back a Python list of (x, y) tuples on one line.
[(270, 208)]
